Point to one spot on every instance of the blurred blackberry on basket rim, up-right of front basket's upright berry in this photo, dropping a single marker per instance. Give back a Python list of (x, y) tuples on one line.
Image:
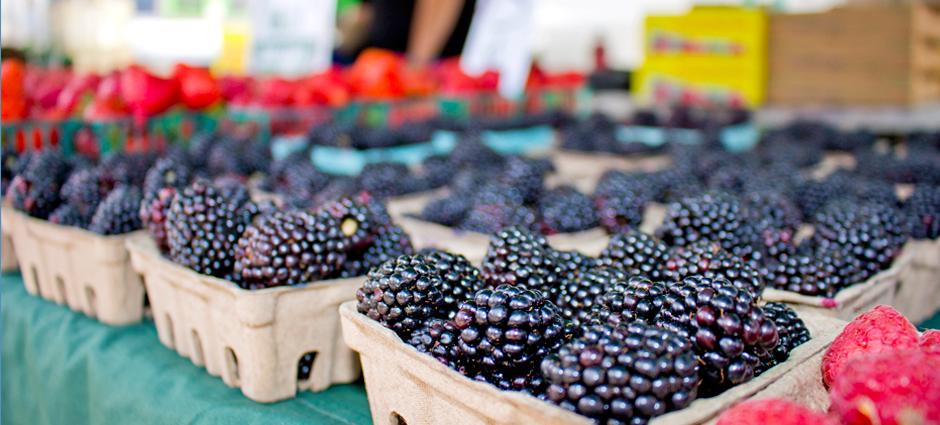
[(565, 210)]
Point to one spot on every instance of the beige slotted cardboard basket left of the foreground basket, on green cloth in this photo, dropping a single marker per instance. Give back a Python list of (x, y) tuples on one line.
[(254, 340)]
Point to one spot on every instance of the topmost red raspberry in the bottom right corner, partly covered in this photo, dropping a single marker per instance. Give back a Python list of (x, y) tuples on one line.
[(876, 330)]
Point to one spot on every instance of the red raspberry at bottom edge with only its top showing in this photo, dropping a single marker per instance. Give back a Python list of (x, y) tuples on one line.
[(772, 411)]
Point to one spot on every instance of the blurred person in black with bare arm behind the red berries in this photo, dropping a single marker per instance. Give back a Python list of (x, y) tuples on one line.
[(424, 30)]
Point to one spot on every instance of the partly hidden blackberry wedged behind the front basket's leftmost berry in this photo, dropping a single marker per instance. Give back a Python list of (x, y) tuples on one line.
[(459, 279)]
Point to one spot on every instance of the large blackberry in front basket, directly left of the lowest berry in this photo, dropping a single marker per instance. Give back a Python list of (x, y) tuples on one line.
[(508, 331)]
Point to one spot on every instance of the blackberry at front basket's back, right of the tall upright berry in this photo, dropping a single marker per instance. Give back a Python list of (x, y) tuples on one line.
[(637, 254)]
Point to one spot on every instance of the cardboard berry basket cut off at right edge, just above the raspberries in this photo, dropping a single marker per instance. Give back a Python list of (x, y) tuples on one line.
[(918, 296)]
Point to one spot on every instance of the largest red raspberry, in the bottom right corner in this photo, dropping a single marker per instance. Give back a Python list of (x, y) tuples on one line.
[(889, 388)]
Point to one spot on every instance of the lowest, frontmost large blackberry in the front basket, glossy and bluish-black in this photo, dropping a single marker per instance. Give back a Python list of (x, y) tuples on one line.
[(623, 374)]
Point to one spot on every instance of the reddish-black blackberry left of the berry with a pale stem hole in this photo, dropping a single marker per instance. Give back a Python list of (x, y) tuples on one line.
[(289, 248)]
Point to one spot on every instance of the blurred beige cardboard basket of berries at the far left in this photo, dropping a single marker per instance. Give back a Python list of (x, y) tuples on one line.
[(88, 272)]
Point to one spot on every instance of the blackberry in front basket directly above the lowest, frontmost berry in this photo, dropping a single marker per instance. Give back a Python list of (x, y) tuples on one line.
[(637, 298)]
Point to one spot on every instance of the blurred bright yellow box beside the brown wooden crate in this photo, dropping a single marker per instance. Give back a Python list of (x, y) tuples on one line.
[(713, 54)]
